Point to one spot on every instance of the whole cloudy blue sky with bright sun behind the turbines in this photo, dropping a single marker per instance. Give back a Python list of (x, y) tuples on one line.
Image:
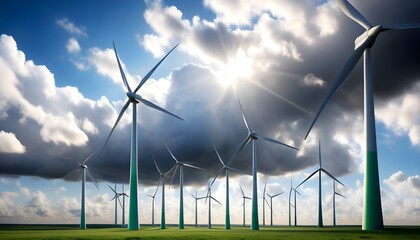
[(61, 92)]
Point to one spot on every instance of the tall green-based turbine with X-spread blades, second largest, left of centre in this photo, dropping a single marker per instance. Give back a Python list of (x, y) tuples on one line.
[(134, 99)]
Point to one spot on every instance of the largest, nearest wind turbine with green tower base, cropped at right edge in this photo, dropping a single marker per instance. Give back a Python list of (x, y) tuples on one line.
[(372, 206)]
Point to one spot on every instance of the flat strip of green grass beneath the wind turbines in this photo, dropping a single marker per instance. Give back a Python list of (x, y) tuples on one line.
[(147, 232)]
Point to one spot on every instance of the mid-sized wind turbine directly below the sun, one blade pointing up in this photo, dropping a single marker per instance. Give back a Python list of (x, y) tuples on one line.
[(253, 136)]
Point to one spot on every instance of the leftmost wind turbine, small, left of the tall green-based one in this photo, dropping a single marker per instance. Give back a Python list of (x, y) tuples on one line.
[(82, 166)]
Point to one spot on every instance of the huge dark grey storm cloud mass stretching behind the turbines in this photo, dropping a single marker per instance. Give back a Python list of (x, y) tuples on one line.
[(212, 114)]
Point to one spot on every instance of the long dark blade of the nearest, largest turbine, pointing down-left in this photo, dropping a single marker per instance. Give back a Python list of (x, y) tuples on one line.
[(345, 71)]
